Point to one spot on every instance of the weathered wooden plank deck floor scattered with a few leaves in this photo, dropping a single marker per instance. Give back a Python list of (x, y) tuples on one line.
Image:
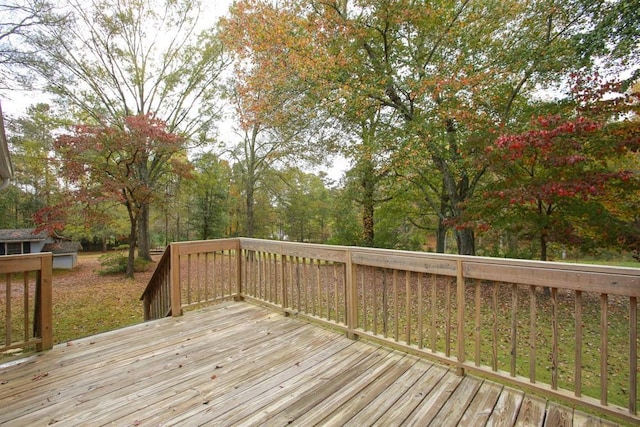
[(239, 364)]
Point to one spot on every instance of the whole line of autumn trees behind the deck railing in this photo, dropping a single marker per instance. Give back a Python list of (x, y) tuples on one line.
[(497, 128)]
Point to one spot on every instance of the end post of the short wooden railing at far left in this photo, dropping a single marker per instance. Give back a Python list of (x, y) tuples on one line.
[(44, 303)]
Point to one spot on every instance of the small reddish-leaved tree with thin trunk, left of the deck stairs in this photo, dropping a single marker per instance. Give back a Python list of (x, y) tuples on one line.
[(125, 165)]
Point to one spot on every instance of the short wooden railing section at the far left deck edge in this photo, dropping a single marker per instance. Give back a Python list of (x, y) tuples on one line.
[(26, 302)]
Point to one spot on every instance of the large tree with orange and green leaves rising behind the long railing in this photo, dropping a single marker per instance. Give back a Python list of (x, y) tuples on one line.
[(426, 66)]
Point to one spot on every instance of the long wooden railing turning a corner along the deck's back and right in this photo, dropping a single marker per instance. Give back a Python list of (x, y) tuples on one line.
[(567, 331)]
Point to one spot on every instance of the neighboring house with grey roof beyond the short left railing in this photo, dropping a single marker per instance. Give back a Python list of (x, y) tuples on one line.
[(27, 241)]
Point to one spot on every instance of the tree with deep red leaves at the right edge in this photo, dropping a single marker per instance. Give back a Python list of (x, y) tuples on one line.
[(561, 180)]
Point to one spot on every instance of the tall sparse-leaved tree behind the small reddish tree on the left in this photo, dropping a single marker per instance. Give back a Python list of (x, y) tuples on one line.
[(115, 59)]
